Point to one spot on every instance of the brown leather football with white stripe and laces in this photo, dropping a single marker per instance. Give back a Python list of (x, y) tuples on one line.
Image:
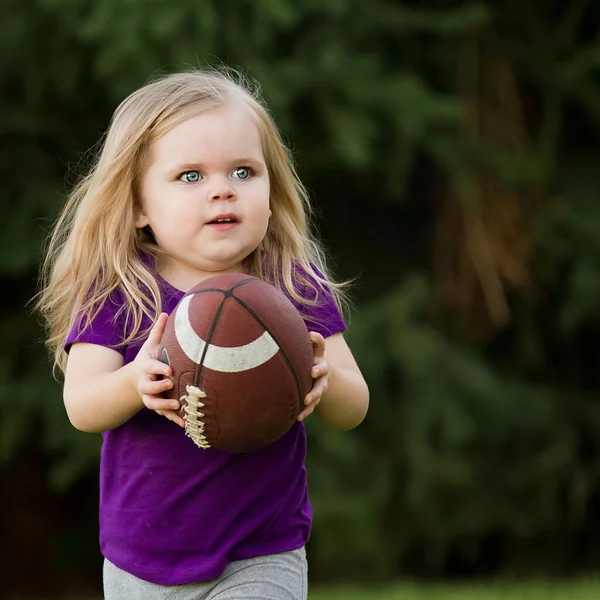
[(241, 357)]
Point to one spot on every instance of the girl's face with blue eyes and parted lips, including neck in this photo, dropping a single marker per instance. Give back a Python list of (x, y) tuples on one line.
[(205, 194)]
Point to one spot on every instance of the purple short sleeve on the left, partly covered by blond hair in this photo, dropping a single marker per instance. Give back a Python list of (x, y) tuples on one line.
[(105, 329)]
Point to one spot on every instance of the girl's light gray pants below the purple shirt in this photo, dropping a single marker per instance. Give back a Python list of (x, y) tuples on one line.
[(272, 577)]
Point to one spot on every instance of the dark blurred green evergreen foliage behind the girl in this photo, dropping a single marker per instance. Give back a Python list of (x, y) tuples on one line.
[(450, 149)]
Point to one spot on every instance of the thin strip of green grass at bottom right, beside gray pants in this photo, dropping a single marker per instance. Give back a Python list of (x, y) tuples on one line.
[(577, 590)]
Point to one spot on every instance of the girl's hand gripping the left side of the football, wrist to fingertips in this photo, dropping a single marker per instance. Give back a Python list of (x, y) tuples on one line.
[(148, 371)]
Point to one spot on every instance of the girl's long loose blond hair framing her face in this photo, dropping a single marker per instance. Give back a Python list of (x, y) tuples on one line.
[(94, 247)]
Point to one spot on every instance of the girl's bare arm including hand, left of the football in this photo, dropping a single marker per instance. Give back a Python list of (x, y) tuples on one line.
[(101, 393)]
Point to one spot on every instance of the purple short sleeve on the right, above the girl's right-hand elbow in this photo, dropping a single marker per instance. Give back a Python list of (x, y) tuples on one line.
[(323, 316)]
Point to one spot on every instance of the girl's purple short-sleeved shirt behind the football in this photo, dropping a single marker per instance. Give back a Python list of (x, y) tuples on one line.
[(171, 513)]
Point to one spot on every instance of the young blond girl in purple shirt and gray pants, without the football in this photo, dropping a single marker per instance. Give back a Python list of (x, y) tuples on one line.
[(193, 180)]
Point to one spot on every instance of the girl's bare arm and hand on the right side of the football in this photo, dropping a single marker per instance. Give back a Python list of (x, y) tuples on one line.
[(340, 395)]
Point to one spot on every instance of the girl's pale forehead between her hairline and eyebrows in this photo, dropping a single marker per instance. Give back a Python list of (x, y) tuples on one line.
[(227, 130)]
